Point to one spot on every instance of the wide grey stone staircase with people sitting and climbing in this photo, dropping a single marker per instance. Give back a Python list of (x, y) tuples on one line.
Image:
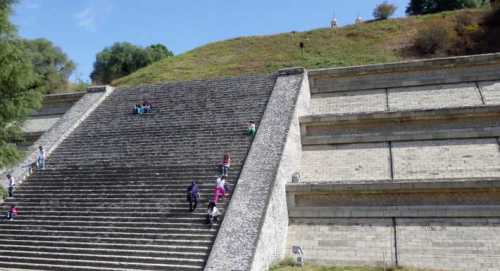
[(113, 195)]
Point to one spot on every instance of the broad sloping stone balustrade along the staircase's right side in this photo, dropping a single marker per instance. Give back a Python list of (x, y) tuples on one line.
[(253, 233)]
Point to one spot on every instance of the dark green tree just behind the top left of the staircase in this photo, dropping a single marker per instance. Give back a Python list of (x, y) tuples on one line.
[(123, 58)]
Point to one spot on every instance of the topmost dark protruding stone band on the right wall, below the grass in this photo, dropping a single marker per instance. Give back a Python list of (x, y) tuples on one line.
[(404, 74)]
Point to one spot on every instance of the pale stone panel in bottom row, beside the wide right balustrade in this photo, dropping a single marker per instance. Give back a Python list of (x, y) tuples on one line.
[(343, 242)]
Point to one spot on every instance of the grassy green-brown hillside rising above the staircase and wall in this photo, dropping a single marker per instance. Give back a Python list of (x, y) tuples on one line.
[(366, 43)]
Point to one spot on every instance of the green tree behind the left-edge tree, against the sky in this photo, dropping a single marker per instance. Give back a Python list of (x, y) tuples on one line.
[(50, 63)]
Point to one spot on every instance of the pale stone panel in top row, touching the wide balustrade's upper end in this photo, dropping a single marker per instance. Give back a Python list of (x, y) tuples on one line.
[(349, 102)]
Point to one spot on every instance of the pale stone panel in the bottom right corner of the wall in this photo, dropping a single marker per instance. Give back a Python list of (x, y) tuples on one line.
[(449, 244)]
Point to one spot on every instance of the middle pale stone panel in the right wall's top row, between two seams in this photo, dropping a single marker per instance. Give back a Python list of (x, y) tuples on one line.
[(434, 96)]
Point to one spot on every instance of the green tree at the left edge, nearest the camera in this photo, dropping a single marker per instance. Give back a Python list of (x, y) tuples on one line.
[(19, 89)]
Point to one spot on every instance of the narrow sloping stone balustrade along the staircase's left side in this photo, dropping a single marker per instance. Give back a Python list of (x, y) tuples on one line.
[(51, 139)]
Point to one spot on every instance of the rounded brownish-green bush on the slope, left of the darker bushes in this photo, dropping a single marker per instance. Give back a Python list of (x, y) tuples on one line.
[(433, 40)]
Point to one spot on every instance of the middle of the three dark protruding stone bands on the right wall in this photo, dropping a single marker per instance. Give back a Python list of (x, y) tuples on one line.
[(446, 123)]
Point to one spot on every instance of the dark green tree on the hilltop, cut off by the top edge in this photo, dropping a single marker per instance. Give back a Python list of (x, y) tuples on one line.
[(418, 7)]
